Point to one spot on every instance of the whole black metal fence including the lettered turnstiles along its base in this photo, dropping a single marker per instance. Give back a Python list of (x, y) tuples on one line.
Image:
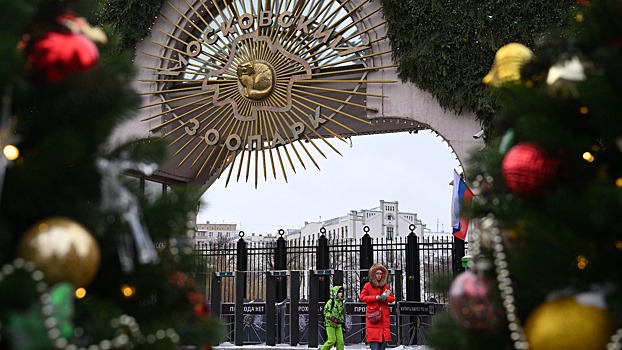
[(276, 284)]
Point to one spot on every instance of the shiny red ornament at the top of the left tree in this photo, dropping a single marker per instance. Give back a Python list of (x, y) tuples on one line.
[(55, 55)]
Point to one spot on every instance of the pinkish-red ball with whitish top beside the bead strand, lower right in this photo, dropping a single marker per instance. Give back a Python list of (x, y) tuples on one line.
[(470, 303)]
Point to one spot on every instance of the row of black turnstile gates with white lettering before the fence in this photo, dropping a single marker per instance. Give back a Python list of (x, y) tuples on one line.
[(258, 322)]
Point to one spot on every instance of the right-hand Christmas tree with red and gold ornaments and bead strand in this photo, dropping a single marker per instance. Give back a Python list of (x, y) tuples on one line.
[(547, 241)]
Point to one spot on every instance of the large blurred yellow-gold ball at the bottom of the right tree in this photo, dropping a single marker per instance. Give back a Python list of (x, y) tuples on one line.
[(577, 322)]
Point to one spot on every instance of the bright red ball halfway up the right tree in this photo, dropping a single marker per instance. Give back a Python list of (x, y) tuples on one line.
[(528, 170)]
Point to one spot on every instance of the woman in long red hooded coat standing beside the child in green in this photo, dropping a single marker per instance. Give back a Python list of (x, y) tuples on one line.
[(377, 295)]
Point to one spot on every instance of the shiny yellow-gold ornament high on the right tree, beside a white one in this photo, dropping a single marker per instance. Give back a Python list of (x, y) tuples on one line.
[(508, 62)]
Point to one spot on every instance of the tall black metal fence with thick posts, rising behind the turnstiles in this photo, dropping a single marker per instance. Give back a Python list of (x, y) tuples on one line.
[(423, 264)]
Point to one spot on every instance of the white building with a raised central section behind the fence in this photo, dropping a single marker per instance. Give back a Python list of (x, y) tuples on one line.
[(384, 221)]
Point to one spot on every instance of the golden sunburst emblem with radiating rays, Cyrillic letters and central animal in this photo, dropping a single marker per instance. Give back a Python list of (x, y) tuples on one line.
[(252, 87)]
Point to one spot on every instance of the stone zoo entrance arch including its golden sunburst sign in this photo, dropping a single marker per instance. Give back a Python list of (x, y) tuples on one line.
[(228, 81)]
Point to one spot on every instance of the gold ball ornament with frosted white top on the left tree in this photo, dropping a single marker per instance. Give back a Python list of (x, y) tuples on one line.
[(62, 249)]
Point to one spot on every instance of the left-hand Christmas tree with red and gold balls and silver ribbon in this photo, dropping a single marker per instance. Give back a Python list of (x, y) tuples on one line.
[(89, 257)]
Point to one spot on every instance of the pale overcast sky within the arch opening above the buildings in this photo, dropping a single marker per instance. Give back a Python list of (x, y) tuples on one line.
[(413, 169)]
